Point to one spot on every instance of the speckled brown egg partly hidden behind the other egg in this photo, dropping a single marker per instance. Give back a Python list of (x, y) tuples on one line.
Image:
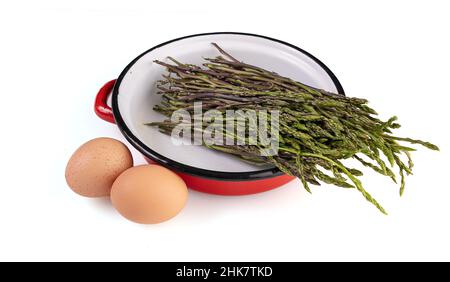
[(94, 166)]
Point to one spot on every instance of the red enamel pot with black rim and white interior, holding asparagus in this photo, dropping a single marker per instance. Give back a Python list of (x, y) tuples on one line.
[(133, 97)]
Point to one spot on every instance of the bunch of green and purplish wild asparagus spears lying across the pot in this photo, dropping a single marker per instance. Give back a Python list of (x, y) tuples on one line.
[(317, 129)]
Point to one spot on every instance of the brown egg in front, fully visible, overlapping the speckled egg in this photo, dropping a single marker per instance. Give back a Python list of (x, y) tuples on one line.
[(148, 194)]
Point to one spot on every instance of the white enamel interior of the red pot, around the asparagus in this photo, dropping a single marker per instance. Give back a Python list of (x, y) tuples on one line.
[(137, 91)]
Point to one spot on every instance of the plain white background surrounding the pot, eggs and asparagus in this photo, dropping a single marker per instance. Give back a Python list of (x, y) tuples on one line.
[(56, 54)]
